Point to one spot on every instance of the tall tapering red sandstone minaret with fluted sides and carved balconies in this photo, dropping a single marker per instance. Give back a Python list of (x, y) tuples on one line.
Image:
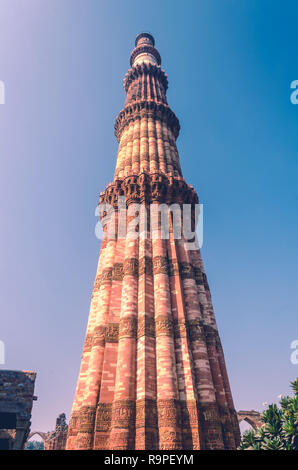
[(153, 373)]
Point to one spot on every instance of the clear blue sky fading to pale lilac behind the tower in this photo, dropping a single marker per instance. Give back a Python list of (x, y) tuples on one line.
[(230, 64)]
